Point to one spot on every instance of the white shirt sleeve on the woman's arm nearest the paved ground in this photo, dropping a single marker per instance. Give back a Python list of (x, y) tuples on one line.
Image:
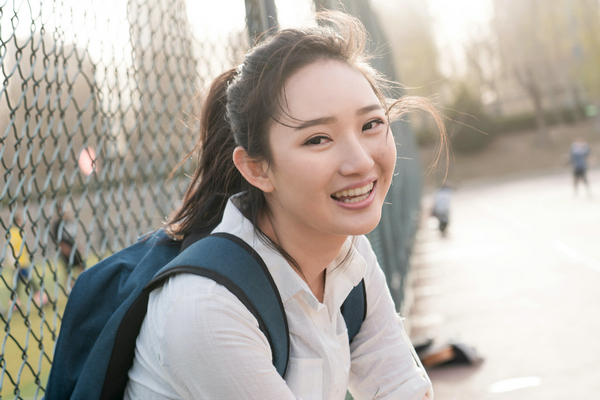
[(384, 362)]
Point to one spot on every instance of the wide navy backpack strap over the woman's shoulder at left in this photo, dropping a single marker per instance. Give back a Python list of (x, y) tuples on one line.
[(229, 261)]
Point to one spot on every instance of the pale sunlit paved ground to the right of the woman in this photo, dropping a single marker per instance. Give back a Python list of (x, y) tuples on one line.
[(518, 278)]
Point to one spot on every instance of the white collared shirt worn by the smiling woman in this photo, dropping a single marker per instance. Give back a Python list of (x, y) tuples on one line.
[(198, 341)]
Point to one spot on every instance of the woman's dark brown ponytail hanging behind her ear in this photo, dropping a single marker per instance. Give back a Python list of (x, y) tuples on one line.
[(216, 178)]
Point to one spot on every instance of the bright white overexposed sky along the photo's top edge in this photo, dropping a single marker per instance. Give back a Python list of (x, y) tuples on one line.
[(453, 21)]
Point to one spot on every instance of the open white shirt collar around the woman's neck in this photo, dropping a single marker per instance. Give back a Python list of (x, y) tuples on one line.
[(342, 275)]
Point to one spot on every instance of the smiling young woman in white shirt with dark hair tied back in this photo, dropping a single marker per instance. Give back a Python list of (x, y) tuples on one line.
[(296, 157)]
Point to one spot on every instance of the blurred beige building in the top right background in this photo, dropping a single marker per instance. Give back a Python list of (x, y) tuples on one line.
[(548, 53)]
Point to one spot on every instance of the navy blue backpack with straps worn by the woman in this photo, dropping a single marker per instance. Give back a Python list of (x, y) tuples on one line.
[(96, 345)]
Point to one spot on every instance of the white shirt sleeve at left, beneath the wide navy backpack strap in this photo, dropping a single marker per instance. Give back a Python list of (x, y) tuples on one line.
[(213, 349)]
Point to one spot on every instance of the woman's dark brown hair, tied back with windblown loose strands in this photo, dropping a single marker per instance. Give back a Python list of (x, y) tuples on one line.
[(242, 104)]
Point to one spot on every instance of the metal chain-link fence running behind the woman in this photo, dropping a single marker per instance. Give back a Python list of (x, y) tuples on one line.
[(96, 108)]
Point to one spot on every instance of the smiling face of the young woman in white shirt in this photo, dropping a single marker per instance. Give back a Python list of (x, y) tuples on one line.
[(333, 165)]
